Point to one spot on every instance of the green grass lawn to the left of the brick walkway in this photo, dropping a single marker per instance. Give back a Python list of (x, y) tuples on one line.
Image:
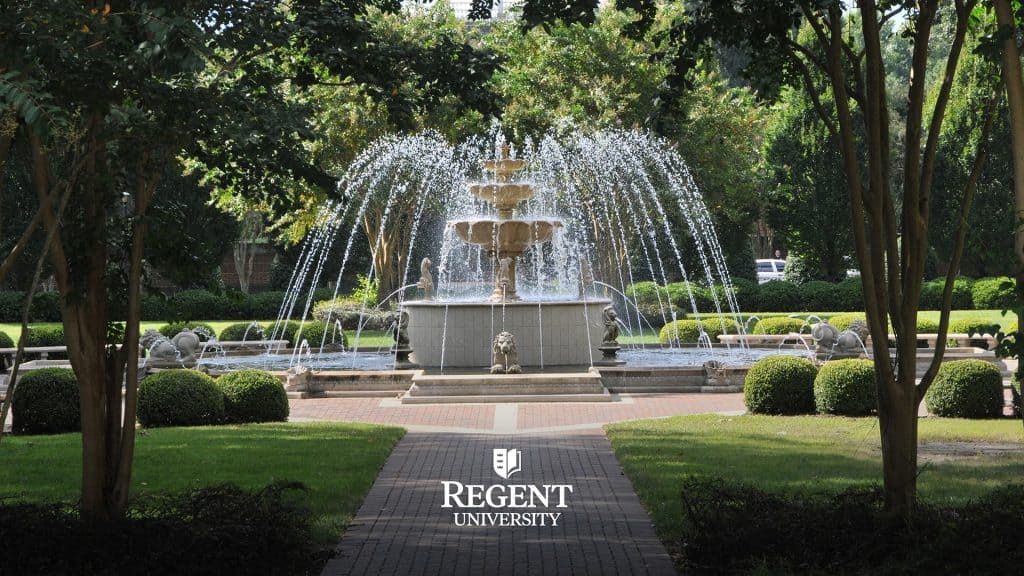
[(338, 463)]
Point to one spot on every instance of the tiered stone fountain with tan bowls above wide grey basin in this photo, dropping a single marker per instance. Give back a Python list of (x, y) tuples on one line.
[(459, 335)]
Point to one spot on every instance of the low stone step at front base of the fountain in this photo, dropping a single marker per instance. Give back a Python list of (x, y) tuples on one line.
[(451, 389)]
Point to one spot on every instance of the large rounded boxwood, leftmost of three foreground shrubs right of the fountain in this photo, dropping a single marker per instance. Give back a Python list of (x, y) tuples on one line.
[(781, 385)]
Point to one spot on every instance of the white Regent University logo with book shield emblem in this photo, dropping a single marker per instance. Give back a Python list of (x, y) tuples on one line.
[(506, 505)]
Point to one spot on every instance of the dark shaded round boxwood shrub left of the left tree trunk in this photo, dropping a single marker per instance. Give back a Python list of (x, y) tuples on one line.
[(47, 401)]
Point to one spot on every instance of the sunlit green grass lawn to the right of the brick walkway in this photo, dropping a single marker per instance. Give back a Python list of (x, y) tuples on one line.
[(812, 455)]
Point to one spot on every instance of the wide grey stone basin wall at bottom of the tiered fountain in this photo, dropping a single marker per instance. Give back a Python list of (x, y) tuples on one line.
[(547, 334)]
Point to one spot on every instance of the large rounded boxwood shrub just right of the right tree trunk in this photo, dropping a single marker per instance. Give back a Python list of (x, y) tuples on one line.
[(966, 389)]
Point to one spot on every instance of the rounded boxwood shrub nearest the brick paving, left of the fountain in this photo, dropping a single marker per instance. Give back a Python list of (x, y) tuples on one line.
[(253, 396)]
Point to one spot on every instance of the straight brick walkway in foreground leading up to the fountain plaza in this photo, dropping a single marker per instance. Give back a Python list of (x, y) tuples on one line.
[(402, 528)]
